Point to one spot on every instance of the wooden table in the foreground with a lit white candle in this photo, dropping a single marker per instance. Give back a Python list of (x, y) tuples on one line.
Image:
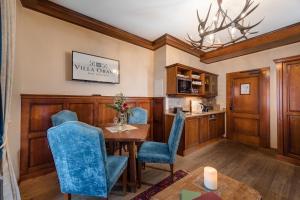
[(228, 188)]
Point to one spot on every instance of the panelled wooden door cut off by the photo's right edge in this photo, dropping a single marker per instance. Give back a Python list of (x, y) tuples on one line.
[(291, 108)]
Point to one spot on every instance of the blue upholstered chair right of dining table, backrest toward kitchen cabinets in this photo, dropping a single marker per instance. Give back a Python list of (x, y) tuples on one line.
[(156, 152)]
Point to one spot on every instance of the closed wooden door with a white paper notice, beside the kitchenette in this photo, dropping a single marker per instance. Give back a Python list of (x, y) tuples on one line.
[(248, 119)]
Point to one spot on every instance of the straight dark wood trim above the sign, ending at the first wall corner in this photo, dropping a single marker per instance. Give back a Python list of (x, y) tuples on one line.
[(65, 14)]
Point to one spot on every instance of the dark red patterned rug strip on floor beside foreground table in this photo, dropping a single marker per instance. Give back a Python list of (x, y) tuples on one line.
[(147, 194)]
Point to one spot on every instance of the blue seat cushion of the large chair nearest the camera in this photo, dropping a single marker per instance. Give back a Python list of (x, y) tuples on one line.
[(115, 167)]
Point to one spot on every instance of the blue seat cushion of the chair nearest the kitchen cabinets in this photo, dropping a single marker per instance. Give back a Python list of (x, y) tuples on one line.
[(154, 152)]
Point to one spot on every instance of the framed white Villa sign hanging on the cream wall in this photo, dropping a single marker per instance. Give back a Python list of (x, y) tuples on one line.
[(86, 67)]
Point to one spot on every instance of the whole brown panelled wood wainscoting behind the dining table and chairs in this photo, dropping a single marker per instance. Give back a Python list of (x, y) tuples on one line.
[(35, 156)]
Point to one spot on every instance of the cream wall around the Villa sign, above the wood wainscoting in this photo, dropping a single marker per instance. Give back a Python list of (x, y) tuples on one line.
[(43, 64)]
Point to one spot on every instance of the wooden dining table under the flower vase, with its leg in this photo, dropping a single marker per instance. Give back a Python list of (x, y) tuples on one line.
[(131, 137)]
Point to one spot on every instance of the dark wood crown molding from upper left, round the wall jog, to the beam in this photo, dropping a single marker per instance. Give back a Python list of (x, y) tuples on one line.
[(65, 14)]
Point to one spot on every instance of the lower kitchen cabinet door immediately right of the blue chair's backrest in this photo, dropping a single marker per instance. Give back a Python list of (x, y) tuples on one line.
[(192, 132)]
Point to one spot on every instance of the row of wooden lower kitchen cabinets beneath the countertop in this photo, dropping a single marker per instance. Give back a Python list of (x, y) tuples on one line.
[(197, 131)]
